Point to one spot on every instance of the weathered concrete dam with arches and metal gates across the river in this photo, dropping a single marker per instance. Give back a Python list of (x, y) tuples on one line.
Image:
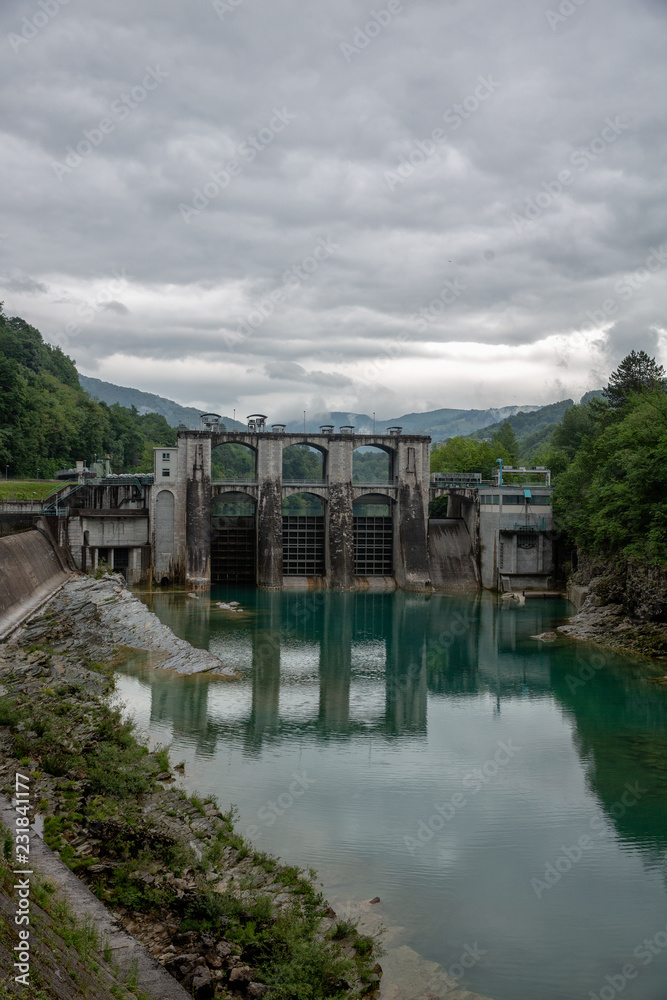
[(184, 524)]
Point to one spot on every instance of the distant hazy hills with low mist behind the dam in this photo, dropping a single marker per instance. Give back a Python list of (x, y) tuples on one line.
[(439, 424)]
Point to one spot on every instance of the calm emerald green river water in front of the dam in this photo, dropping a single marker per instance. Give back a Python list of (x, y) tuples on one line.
[(427, 750)]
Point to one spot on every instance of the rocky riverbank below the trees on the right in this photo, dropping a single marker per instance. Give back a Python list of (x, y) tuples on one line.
[(623, 606)]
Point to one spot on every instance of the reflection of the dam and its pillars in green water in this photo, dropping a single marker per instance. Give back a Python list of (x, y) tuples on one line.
[(339, 666)]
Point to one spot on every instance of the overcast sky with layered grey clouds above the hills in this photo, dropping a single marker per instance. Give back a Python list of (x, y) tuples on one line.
[(386, 206)]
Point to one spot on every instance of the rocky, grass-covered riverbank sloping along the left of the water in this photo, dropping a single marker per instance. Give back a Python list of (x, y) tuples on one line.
[(223, 919)]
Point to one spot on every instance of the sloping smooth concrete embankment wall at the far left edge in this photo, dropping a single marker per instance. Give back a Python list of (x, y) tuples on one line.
[(31, 569)]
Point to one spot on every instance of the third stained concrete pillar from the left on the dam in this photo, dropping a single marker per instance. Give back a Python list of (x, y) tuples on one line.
[(340, 517)]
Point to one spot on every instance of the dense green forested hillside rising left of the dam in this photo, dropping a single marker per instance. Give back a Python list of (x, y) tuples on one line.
[(48, 422)]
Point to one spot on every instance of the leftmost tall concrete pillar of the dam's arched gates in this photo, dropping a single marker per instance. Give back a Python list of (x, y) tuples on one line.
[(198, 515)]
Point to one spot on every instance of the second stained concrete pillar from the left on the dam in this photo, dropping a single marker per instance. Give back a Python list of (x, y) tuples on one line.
[(269, 512)]
